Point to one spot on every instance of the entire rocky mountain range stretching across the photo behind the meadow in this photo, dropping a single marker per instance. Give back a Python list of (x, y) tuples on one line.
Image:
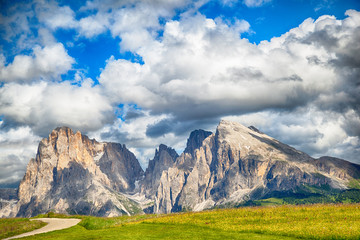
[(233, 166)]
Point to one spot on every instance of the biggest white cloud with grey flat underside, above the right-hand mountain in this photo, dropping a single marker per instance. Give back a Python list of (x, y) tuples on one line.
[(204, 65)]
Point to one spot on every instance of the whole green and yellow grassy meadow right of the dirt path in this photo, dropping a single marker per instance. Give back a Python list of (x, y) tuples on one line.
[(282, 222)]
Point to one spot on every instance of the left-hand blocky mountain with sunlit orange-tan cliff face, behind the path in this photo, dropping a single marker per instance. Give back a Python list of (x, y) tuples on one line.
[(74, 174)]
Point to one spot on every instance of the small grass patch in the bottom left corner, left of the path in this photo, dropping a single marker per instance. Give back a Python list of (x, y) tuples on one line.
[(16, 226)]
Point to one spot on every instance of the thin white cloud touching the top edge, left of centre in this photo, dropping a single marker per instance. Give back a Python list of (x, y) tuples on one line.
[(135, 22)]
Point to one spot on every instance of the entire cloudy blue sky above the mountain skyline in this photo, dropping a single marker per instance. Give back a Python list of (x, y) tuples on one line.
[(146, 72)]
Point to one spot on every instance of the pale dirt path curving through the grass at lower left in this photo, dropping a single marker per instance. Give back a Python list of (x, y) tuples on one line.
[(53, 224)]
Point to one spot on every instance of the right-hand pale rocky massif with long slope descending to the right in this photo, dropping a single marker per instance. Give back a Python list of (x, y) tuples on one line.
[(235, 163)]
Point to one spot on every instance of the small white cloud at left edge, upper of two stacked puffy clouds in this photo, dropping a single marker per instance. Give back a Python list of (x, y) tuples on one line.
[(48, 62)]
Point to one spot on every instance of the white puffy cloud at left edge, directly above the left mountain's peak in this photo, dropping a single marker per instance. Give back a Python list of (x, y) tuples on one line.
[(44, 106)]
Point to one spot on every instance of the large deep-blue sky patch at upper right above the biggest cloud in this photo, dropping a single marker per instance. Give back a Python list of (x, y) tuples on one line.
[(276, 17)]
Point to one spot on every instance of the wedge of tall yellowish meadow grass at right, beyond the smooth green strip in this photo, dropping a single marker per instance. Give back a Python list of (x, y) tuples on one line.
[(310, 222)]
